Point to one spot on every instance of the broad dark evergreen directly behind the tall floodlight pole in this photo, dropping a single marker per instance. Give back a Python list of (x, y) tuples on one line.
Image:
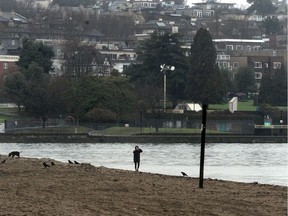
[(154, 52)]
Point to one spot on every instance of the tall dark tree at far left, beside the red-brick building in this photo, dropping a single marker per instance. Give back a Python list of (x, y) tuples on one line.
[(29, 86)]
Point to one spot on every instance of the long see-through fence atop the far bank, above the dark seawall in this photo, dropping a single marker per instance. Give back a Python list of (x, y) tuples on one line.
[(150, 126)]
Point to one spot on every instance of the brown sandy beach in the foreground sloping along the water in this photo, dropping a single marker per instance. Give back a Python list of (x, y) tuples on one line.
[(28, 188)]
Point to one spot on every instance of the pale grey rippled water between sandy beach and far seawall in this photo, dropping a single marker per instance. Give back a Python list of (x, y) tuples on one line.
[(264, 163)]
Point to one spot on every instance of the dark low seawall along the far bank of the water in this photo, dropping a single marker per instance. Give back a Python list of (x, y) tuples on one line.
[(86, 138)]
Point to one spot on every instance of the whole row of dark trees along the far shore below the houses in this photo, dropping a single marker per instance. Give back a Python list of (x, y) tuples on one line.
[(85, 93)]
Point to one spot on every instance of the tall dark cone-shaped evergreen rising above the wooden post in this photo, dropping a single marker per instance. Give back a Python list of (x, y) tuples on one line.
[(204, 82)]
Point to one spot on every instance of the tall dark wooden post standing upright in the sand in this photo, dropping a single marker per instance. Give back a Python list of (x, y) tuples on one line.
[(202, 153)]
